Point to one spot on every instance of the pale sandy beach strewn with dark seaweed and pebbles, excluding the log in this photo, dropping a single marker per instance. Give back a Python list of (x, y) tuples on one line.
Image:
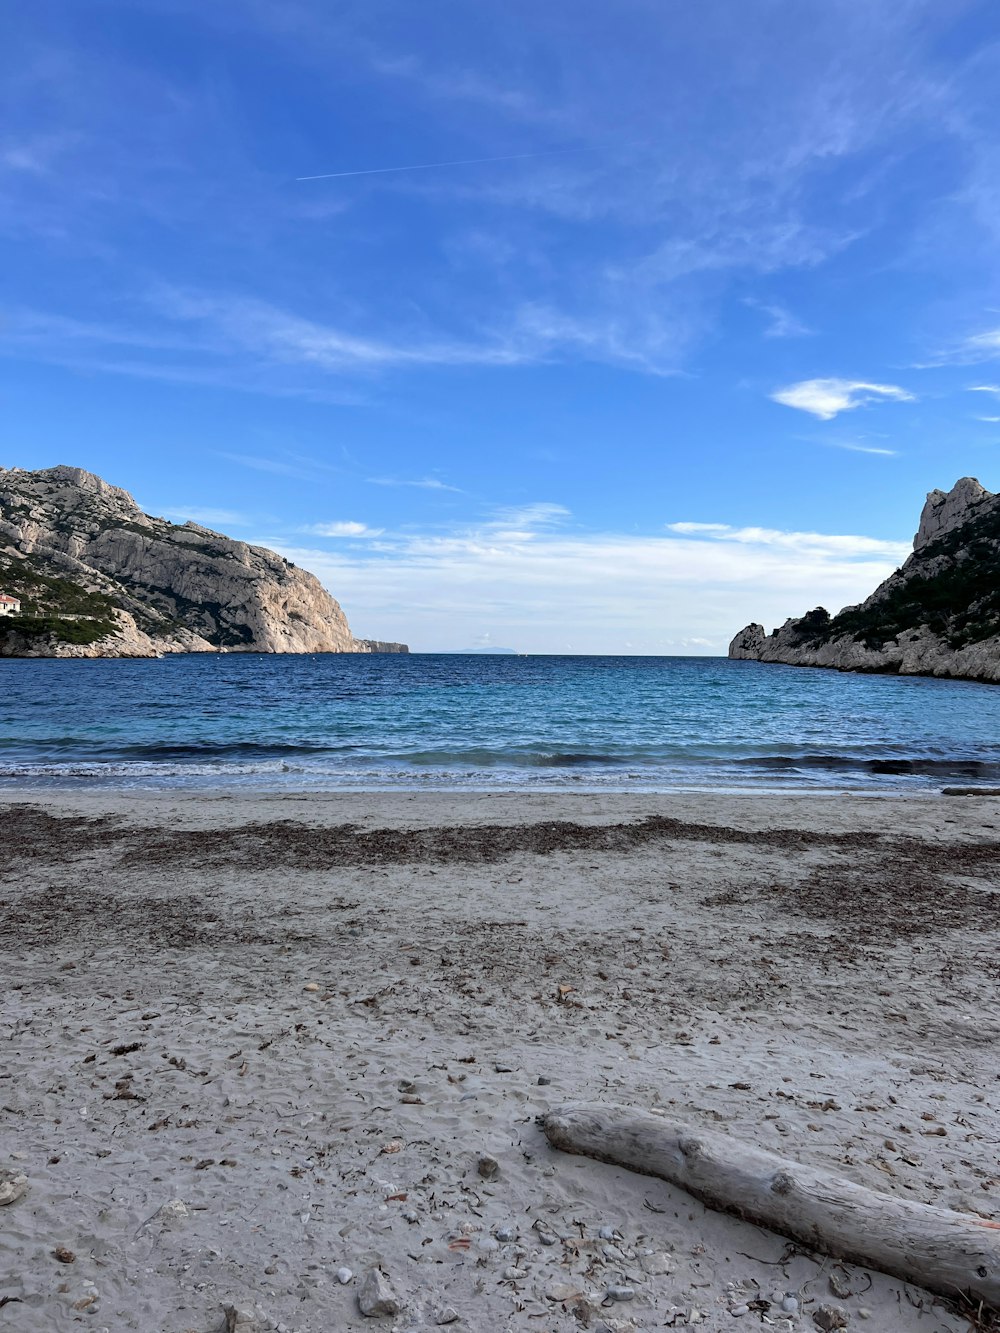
[(259, 1046)]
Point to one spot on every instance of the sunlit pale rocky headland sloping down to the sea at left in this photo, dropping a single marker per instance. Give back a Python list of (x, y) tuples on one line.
[(98, 578)]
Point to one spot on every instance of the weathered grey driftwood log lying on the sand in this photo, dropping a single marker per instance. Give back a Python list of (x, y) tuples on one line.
[(931, 1247)]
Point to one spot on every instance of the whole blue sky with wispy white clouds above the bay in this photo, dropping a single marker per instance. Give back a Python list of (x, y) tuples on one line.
[(537, 326)]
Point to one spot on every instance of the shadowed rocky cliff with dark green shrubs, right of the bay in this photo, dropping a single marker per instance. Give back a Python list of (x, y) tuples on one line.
[(939, 615)]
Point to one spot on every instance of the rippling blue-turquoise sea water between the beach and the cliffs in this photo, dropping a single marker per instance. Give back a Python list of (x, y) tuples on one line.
[(487, 723)]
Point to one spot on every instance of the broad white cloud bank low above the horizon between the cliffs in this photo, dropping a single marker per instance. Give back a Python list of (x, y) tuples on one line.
[(542, 590)]
